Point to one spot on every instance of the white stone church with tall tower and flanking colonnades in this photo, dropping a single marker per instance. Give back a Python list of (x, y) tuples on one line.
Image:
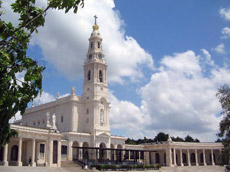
[(77, 128)]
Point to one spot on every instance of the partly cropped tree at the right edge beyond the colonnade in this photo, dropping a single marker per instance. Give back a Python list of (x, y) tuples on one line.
[(224, 98)]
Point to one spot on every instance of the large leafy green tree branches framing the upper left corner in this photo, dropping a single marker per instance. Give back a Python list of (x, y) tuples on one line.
[(14, 40)]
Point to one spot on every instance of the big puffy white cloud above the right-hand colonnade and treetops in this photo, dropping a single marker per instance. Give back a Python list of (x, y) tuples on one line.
[(181, 99)]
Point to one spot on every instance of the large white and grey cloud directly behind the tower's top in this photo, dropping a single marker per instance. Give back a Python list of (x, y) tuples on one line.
[(64, 42)]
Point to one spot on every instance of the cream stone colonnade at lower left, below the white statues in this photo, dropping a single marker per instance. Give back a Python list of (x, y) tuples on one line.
[(17, 155)]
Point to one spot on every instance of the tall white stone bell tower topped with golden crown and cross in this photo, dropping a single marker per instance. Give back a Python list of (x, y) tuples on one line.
[(95, 88)]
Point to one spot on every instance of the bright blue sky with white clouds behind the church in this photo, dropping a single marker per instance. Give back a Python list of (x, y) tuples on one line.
[(166, 60)]
